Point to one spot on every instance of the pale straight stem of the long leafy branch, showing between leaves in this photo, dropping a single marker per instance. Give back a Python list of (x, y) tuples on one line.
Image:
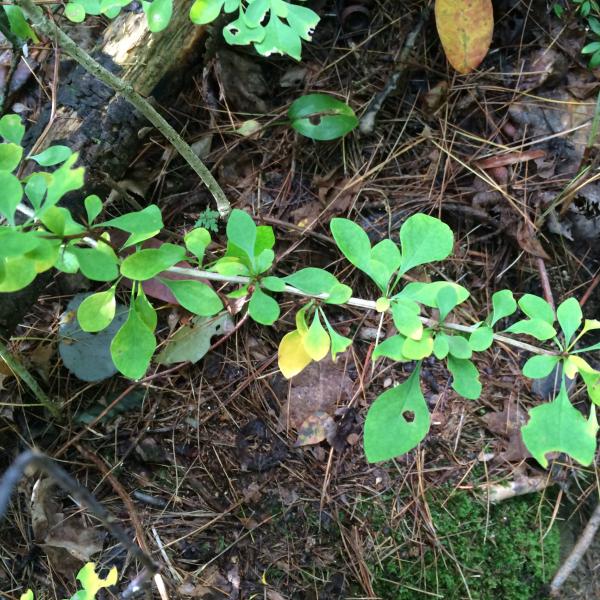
[(357, 302)]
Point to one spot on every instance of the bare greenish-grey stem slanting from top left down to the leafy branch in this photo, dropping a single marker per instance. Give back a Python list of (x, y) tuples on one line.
[(40, 22)]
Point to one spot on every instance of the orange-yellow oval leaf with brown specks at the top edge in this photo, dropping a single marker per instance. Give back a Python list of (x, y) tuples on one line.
[(465, 28)]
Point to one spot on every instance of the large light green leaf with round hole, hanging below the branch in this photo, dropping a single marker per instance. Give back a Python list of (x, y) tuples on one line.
[(397, 421)]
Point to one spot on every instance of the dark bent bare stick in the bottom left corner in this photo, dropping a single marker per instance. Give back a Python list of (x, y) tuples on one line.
[(13, 475)]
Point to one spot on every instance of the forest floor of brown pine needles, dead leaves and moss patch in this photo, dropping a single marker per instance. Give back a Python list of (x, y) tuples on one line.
[(202, 465)]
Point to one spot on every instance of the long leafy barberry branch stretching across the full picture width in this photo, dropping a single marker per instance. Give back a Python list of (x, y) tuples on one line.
[(123, 253)]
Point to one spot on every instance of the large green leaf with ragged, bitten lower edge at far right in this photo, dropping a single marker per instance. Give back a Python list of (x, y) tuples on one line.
[(558, 426)]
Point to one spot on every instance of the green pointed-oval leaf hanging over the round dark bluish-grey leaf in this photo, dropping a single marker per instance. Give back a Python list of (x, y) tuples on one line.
[(133, 346)]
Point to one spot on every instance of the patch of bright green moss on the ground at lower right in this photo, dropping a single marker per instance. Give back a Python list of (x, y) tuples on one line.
[(493, 554)]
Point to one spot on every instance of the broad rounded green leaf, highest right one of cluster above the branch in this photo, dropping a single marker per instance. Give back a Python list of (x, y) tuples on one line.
[(424, 239)]
